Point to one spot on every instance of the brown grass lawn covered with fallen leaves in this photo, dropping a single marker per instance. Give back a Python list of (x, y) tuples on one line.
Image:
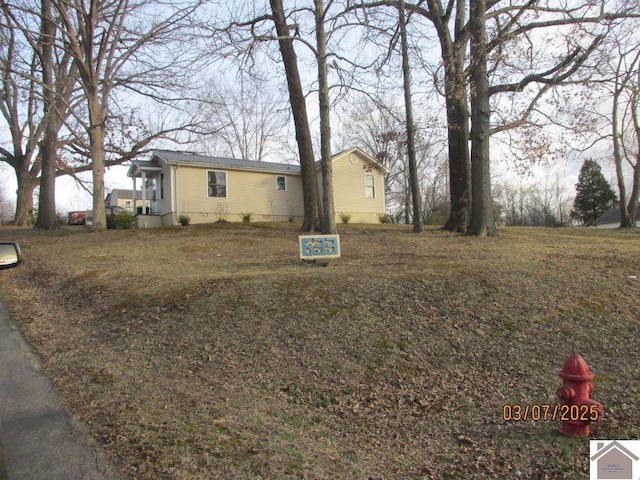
[(213, 352)]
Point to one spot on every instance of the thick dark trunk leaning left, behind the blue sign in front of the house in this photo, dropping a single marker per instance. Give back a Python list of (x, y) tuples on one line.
[(300, 120)]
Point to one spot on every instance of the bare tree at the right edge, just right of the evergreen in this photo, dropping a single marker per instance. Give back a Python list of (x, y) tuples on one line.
[(601, 107)]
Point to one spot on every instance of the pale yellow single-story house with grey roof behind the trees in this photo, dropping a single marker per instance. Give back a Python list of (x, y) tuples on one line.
[(208, 189)]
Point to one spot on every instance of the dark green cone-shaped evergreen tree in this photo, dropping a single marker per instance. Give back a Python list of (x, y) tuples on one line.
[(594, 195)]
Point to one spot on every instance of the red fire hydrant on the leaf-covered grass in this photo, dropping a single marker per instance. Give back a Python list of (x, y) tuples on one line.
[(577, 409)]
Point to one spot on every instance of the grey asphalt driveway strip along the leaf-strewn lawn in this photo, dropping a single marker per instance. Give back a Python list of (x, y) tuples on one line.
[(41, 440)]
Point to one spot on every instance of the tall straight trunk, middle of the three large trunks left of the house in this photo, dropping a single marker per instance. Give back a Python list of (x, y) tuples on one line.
[(48, 146)]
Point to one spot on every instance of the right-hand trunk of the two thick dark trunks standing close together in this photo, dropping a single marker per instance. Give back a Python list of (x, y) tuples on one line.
[(482, 218)]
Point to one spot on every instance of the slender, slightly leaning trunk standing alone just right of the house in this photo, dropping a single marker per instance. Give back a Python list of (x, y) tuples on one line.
[(411, 143)]
